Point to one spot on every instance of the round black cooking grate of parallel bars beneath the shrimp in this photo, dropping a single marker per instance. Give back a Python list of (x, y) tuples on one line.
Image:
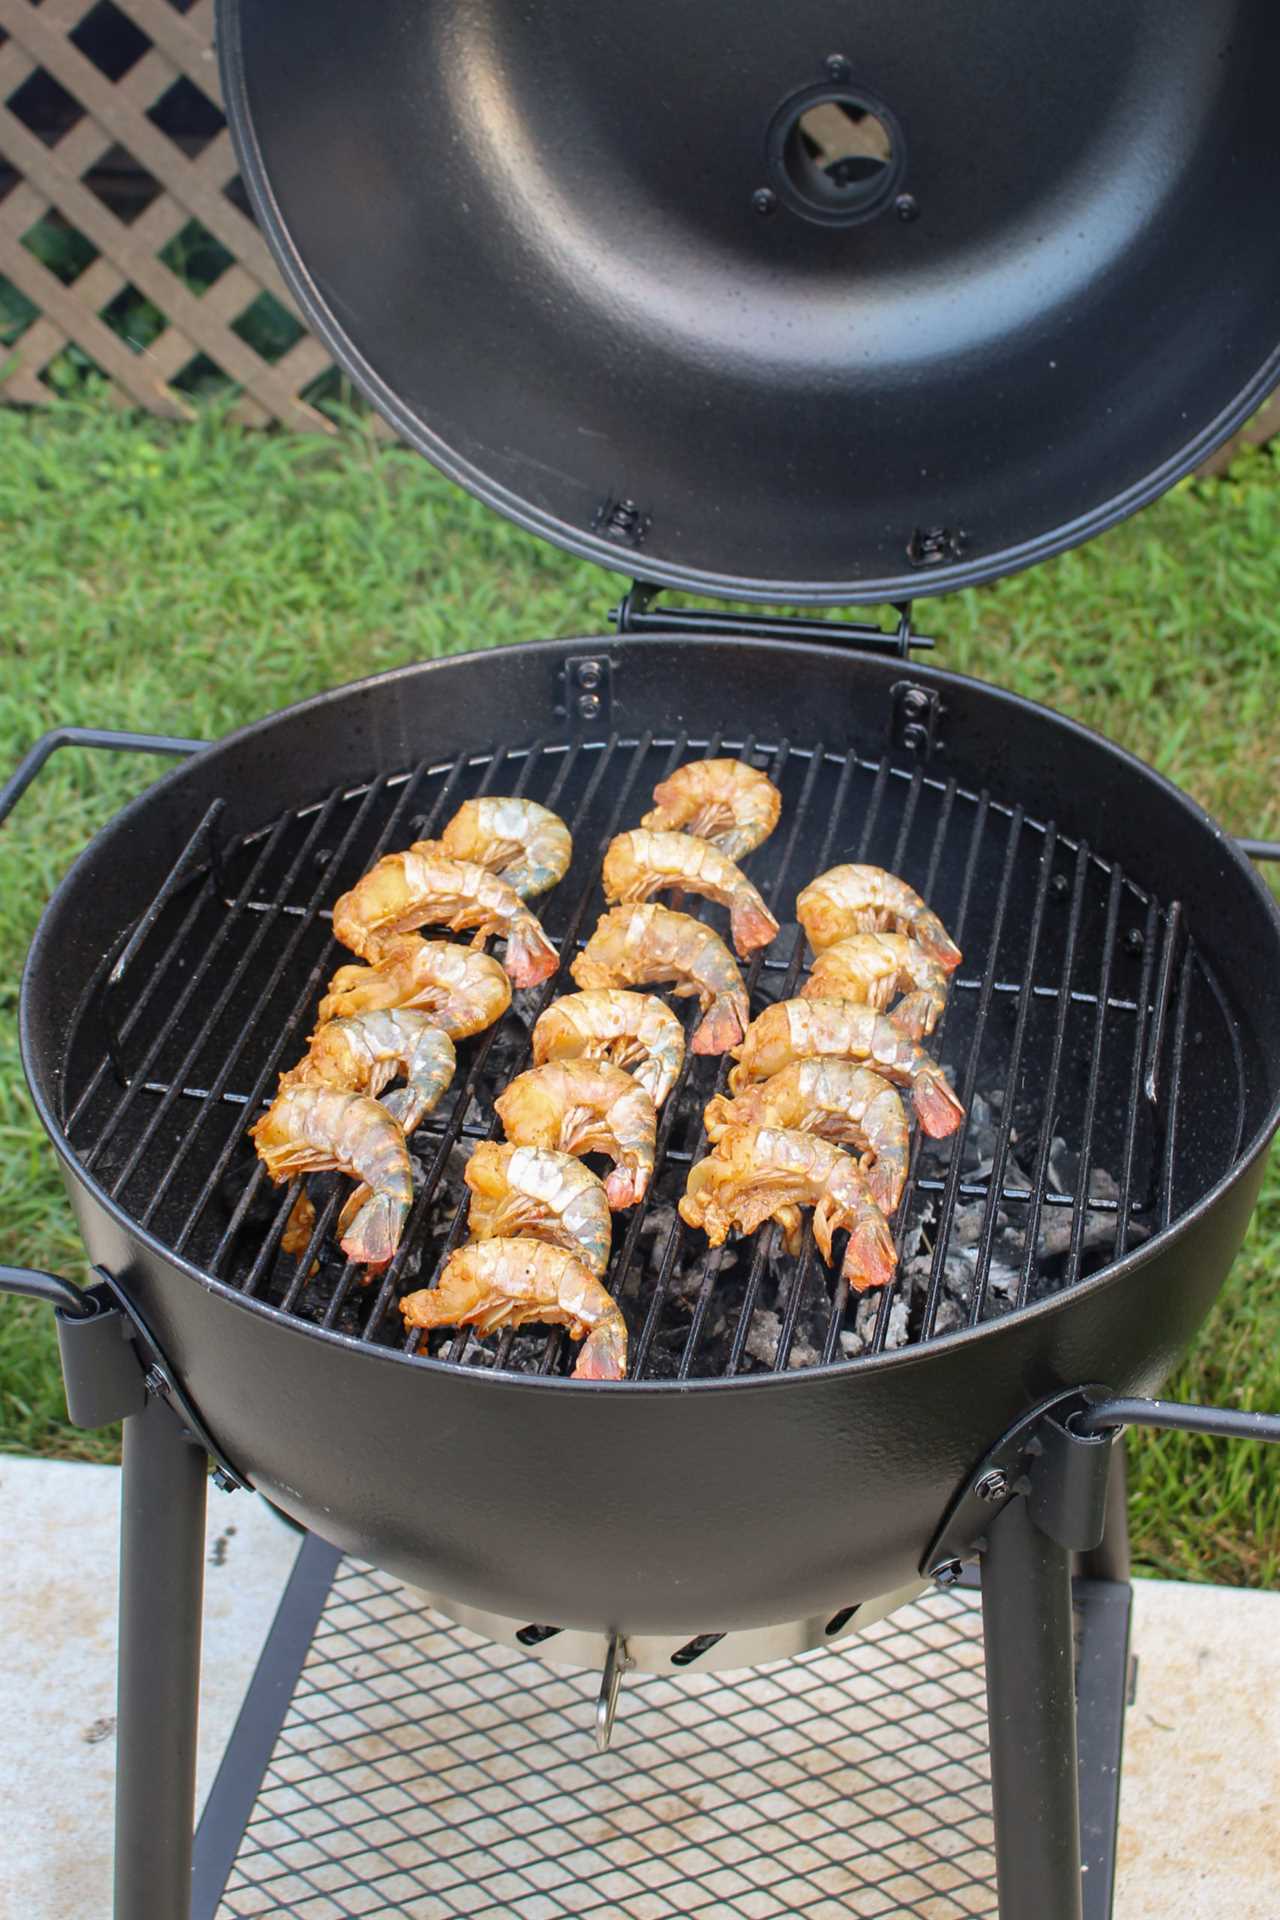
[(1081, 1030)]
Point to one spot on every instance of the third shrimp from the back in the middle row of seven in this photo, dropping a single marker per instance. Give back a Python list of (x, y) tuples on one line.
[(636, 946)]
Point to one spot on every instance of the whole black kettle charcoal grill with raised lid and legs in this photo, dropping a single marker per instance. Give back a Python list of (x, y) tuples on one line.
[(784, 1464)]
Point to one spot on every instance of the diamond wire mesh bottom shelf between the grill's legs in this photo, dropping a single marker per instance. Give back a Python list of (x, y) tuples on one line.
[(423, 1771)]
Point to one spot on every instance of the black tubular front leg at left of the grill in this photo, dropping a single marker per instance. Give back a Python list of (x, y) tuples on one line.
[(162, 1591)]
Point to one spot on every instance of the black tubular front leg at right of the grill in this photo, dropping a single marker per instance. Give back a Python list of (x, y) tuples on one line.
[(1028, 1633)]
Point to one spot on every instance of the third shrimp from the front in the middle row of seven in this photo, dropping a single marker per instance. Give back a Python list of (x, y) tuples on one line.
[(586, 1107)]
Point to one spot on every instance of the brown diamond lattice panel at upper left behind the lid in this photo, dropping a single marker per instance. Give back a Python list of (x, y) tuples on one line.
[(120, 170)]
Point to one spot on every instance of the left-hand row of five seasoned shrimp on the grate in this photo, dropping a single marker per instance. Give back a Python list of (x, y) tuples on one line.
[(400, 1013)]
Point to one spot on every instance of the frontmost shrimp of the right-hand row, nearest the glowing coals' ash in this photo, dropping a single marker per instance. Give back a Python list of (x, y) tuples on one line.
[(759, 1174)]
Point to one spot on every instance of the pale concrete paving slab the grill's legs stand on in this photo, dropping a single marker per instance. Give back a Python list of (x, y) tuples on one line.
[(1200, 1806)]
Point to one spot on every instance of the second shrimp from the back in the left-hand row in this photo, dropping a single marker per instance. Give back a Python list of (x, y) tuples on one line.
[(410, 890)]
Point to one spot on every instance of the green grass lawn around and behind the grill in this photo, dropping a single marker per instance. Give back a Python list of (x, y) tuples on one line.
[(189, 581)]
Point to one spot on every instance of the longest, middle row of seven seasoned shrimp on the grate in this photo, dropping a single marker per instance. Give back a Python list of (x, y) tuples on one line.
[(605, 1059)]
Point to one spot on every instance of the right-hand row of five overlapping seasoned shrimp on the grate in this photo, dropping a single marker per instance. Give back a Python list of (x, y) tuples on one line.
[(815, 1115)]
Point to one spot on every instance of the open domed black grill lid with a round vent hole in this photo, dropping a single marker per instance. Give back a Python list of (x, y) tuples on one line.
[(809, 302)]
